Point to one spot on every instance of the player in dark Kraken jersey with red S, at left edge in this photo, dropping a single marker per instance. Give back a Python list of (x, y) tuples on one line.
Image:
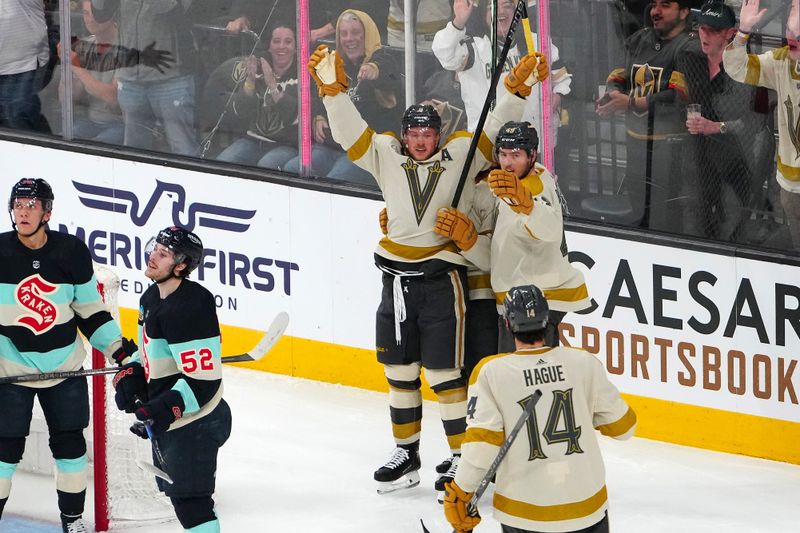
[(48, 292)]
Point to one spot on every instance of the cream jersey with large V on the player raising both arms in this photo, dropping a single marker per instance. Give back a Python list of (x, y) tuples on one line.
[(415, 190)]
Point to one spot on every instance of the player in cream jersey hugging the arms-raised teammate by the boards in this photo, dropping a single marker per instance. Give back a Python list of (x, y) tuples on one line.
[(527, 245)]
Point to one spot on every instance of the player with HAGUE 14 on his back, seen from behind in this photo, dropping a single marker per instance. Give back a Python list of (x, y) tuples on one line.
[(552, 478)]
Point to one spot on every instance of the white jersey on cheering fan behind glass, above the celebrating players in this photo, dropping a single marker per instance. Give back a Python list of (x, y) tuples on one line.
[(472, 60)]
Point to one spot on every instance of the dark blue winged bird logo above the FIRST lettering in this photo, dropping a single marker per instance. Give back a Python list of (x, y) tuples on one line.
[(196, 214)]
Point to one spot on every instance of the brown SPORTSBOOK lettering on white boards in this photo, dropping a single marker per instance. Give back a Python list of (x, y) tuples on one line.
[(667, 361)]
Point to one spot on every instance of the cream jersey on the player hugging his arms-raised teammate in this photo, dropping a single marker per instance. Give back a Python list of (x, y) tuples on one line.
[(530, 249)]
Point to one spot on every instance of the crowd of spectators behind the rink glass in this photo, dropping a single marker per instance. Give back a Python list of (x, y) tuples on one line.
[(219, 80)]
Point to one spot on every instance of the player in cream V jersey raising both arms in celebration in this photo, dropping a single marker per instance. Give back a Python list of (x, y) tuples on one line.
[(420, 320)]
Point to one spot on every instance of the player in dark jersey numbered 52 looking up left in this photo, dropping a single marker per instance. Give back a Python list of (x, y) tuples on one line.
[(173, 384)]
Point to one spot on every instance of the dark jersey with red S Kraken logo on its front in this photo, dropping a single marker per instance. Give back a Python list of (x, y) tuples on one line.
[(46, 296)]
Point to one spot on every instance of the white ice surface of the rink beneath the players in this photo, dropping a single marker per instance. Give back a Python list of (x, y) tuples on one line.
[(302, 454)]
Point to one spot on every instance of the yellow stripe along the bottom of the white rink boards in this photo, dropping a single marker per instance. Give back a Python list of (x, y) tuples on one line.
[(668, 421)]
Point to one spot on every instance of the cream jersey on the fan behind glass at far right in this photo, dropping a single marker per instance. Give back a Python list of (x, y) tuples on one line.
[(779, 72)]
